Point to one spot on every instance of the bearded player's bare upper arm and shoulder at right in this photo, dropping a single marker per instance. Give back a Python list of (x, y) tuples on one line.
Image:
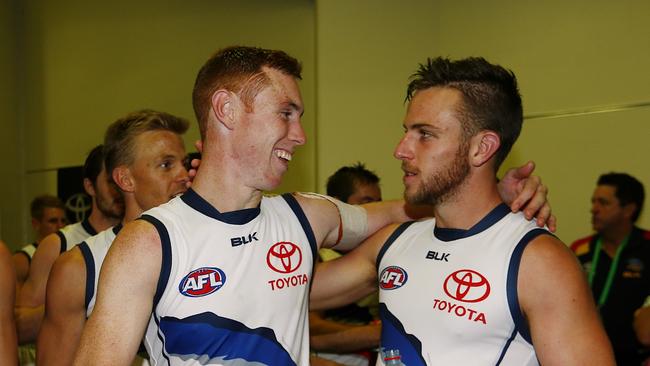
[(556, 301)]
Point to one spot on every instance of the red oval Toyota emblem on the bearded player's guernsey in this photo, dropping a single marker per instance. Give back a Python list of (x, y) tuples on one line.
[(467, 286)]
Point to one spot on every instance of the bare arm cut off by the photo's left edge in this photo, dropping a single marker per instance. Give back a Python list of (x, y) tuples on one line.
[(8, 342)]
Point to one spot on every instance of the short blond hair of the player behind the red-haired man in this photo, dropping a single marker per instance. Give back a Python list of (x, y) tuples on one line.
[(120, 135)]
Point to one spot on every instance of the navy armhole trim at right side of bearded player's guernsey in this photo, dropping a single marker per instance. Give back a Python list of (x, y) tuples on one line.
[(511, 283)]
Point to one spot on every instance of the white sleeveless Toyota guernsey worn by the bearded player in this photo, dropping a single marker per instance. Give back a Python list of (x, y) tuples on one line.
[(449, 296)]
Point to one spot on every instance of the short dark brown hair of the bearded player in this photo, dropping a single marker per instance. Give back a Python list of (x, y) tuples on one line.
[(491, 99)]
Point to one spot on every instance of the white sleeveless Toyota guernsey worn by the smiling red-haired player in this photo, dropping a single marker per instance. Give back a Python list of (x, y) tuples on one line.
[(234, 286)]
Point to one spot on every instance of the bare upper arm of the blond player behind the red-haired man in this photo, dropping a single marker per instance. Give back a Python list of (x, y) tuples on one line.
[(65, 312)]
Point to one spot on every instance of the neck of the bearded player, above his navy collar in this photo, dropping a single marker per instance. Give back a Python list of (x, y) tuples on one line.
[(475, 198)]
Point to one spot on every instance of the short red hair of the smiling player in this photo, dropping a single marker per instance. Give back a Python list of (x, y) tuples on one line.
[(237, 69)]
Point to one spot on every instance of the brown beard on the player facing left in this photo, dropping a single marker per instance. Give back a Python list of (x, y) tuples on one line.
[(445, 184)]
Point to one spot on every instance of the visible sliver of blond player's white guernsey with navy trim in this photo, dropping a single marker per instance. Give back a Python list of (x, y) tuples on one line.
[(94, 250)]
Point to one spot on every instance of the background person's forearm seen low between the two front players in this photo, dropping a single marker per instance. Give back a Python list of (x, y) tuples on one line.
[(350, 340)]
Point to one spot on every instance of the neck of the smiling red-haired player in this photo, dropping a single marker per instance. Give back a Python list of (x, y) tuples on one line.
[(219, 181)]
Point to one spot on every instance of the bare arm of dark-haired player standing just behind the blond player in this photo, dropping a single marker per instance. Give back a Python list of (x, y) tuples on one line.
[(29, 307)]
